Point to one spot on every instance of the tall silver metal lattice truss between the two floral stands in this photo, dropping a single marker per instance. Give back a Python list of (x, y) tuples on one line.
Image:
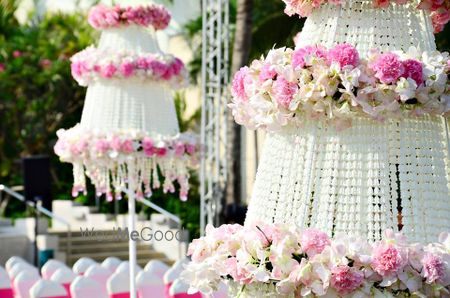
[(215, 74)]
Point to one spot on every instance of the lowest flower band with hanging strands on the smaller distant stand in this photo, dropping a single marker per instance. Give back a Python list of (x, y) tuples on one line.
[(105, 158)]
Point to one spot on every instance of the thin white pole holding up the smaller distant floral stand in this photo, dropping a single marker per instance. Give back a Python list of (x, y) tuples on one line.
[(132, 226)]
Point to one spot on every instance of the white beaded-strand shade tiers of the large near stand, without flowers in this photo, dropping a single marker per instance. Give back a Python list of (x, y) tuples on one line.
[(369, 177)]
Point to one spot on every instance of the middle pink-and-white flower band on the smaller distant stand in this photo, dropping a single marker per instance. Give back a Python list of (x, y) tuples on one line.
[(93, 64)]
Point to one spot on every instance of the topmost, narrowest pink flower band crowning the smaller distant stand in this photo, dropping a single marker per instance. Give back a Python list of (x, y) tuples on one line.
[(103, 17)]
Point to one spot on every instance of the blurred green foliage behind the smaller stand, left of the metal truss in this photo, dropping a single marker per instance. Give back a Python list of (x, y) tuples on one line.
[(38, 96)]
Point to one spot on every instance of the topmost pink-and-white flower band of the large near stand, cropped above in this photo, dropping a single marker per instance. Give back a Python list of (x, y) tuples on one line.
[(439, 10)]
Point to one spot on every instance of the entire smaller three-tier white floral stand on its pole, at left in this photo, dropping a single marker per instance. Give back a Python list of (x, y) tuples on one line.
[(128, 140)]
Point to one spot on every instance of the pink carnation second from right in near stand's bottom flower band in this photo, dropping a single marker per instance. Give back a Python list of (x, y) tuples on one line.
[(387, 259)]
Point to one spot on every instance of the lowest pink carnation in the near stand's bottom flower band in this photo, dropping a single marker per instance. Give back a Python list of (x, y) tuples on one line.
[(346, 279)]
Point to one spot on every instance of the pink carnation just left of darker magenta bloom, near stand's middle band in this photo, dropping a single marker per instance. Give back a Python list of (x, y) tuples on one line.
[(388, 68)]
